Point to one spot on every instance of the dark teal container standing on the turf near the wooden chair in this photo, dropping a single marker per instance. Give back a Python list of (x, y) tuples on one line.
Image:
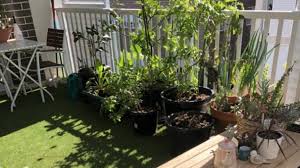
[(74, 86)]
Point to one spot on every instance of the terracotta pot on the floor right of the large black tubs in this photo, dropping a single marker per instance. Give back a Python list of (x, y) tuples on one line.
[(223, 119)]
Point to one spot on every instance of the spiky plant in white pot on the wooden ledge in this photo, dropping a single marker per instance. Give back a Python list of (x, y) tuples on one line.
[(275, 117)]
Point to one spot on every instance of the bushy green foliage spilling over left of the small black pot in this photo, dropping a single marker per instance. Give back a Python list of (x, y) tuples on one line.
[(124, 88)]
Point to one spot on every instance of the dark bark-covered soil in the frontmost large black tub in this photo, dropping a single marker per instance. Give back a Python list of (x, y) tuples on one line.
[(187, 120)]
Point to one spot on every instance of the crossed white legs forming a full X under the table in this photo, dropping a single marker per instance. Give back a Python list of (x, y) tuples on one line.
[(26, 75)]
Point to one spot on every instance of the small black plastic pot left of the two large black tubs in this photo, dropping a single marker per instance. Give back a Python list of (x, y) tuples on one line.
[(145, 122)]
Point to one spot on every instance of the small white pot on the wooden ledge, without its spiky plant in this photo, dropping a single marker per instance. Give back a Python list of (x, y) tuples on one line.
[(269, 148)]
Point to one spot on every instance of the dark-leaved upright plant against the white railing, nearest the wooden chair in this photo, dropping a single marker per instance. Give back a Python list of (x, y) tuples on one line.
[(97, 37)]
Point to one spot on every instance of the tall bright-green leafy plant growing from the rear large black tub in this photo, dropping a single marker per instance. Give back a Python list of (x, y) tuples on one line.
[(195, 22)]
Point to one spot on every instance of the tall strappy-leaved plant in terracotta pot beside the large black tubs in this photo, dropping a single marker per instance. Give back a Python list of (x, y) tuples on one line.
[(242, 76)]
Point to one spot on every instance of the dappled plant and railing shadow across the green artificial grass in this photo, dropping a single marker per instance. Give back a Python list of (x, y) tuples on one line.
[(102, 143)]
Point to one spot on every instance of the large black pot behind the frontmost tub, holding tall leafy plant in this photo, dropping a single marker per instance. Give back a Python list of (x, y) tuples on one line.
[(170, 105)]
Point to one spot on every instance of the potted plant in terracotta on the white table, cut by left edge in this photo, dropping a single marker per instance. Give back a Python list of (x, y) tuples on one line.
[(5, 25)]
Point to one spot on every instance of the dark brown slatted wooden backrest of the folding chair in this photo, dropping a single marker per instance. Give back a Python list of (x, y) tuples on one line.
[(55, 38)]
